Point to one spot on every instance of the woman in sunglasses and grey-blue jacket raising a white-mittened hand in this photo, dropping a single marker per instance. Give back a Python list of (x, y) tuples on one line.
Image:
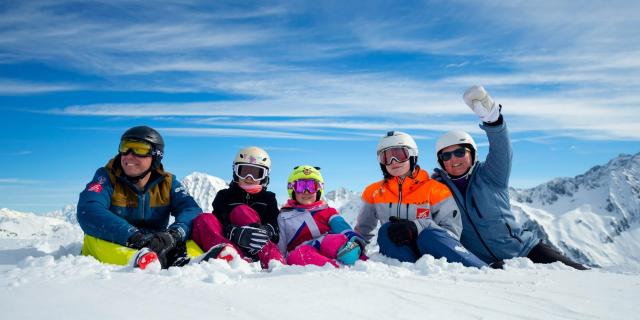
[(490, 230)]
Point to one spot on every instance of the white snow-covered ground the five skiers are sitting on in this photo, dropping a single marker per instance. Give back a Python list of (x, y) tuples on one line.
[(42, 276)]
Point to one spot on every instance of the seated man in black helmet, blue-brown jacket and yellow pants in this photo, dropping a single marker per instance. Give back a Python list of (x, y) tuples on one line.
[(124, 211)]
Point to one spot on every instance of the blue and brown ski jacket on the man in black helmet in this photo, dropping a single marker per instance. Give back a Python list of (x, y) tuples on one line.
[(111, 208)]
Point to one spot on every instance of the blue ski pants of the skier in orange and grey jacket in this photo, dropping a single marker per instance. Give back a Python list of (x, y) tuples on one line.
[(436, 242)]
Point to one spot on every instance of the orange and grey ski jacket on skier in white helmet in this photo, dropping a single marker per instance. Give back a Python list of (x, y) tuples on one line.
[(425, 201)]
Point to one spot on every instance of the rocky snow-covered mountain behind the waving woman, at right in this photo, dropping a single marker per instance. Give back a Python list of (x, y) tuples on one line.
[(593, 217)]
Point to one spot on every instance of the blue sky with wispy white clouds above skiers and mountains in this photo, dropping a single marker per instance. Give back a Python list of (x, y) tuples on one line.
[(314, 82)]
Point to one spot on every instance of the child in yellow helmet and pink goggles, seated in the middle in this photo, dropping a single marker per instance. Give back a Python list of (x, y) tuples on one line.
[(311, 232)]
